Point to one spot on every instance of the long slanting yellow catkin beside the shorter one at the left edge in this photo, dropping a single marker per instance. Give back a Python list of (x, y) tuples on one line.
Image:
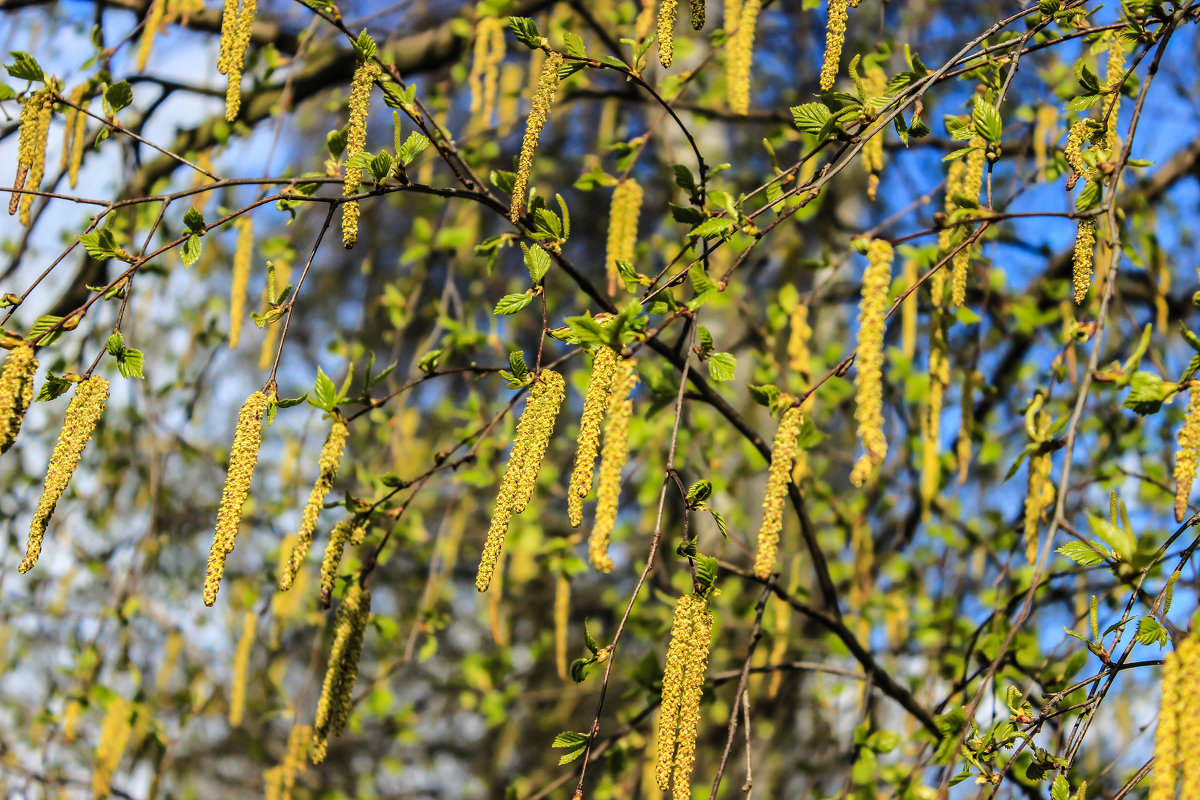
[(83, 414)]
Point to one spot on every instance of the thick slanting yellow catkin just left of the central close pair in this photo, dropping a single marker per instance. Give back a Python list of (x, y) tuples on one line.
[(521, 473)]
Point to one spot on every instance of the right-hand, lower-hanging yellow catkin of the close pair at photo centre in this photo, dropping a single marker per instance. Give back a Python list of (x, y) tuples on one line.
[(613, 464)]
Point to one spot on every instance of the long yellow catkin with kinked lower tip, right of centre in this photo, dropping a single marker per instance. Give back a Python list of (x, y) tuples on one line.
[(869, 382)]
